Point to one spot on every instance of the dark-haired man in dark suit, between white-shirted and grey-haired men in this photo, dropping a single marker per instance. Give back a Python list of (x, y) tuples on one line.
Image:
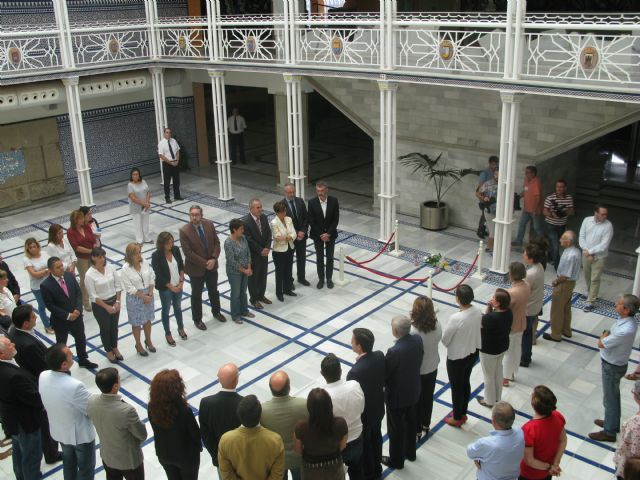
[(368, 371)]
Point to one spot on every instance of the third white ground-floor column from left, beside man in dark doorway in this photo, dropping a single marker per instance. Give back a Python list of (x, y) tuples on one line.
[(221, 130)]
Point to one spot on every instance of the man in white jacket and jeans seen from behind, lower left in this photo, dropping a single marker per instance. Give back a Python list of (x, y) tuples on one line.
[(66, 399)]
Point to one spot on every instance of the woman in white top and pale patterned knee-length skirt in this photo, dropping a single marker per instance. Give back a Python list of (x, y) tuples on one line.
[(138, 282)]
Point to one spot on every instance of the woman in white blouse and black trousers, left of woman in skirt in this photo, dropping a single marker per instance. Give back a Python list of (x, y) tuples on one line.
[(103, 288)]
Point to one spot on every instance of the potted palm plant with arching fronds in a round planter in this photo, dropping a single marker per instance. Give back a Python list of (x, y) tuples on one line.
[(434, 214)]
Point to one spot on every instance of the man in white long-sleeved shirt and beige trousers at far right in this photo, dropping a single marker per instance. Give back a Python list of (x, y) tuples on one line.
[(595, 237)]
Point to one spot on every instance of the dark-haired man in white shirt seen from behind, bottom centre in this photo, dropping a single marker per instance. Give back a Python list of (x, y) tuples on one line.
[(348, 403)]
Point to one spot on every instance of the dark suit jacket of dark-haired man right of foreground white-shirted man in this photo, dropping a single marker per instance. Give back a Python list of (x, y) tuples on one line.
[(368, 371)]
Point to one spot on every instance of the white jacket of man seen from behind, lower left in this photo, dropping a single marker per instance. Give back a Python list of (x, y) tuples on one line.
[(65, 399)]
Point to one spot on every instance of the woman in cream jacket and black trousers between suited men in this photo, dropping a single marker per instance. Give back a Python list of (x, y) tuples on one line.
[(283, 247)]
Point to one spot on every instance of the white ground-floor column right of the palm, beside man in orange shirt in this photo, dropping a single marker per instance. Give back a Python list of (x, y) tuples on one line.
[(506, 179)]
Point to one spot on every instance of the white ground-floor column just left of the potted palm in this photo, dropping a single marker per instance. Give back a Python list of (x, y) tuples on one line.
[(388, 160)]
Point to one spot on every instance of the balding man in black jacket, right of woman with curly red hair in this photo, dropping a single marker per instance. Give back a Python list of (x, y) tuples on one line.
[(218, 412)]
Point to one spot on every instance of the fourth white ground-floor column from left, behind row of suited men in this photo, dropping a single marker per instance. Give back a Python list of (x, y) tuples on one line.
[(295, 132)]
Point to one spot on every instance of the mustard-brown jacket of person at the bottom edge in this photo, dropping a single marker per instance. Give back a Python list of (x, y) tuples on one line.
[(255, 453)]
